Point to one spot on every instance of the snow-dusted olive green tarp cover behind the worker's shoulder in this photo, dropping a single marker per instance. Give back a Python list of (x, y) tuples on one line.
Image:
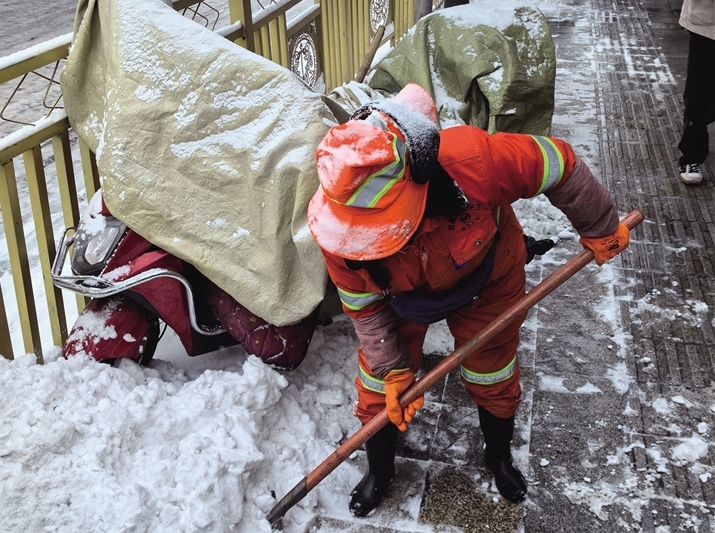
[(488, 64)]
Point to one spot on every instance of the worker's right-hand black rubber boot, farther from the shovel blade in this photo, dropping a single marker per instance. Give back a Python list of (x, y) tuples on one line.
[(498, 433)]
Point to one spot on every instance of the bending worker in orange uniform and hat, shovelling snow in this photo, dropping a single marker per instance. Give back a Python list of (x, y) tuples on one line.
[(416, 226)]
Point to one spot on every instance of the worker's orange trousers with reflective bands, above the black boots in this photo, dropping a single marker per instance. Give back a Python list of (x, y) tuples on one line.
[(507, 285)]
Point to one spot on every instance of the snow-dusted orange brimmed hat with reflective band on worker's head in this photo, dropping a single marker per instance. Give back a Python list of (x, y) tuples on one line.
[(369, 202)]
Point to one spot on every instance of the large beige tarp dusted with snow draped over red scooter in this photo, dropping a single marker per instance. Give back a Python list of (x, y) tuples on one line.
[(203, 148)]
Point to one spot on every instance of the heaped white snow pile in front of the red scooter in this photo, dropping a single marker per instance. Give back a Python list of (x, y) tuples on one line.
[(88, 447)]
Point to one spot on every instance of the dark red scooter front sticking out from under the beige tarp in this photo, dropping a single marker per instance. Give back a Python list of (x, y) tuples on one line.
[(140, 284)]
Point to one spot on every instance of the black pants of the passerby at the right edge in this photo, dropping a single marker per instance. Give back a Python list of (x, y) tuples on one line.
[(699, 99)]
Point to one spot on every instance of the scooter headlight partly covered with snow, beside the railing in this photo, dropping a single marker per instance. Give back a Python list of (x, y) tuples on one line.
[(92, 249)]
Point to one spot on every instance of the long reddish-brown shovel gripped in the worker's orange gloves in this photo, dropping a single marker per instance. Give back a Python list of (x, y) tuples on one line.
[(534, 296)]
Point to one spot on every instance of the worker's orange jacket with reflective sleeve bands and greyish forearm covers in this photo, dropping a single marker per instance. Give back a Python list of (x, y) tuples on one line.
[(493, 171)]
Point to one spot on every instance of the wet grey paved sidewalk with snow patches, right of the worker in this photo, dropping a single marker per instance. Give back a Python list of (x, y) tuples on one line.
[(615, 432)]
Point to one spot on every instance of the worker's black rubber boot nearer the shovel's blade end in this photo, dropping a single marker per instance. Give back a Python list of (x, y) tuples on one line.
[(380, 450)]
